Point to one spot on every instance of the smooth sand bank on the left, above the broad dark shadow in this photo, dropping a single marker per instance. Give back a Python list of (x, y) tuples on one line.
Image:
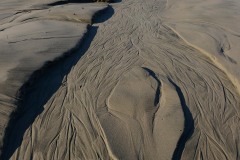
[(33, 33)]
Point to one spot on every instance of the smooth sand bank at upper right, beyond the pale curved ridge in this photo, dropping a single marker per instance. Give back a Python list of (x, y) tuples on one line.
[(216, 23)]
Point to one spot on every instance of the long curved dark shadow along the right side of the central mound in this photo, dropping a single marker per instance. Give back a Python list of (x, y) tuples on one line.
[(188, 124)]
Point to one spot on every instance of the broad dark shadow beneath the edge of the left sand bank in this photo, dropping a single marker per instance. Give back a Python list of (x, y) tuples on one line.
[(38, 90)]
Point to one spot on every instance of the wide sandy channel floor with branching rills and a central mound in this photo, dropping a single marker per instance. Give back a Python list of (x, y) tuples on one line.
[(140, 91)]
